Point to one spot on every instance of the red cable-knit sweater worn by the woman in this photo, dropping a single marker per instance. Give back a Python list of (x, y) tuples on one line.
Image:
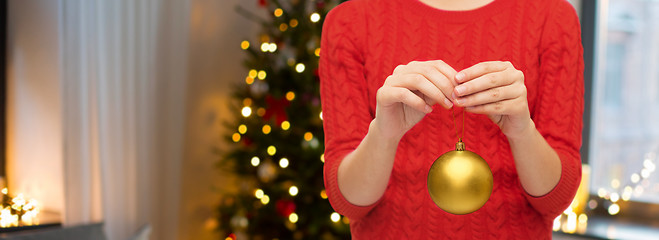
[(364, 40)]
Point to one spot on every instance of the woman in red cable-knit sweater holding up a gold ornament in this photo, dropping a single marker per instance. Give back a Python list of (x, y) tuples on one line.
[(393, 75)]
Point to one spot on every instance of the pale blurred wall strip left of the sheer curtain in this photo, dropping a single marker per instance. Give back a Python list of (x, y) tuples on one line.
[(34, 126)]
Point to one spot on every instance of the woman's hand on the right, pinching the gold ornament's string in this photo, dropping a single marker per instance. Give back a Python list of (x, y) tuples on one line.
[(496, 89)]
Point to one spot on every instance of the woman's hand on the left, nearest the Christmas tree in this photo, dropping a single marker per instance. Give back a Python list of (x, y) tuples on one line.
[(409, 93)]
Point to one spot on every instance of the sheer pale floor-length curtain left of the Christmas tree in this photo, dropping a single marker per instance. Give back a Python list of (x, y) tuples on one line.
[(123, 69)]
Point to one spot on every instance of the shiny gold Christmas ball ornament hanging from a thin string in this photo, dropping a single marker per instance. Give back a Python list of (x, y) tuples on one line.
[(460, 181)]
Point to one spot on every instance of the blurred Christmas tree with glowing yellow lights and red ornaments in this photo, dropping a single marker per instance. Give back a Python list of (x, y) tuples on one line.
[(276, 141)]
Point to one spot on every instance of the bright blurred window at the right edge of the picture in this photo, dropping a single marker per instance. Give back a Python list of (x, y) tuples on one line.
[(624, 123)]
